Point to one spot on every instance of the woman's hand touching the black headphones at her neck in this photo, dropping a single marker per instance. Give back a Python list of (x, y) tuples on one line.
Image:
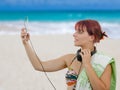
[(86, 56)]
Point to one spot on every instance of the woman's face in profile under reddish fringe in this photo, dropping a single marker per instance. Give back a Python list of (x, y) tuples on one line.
[(81, 37)]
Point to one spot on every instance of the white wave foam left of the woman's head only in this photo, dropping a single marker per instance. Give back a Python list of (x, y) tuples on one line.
[(37, 27)]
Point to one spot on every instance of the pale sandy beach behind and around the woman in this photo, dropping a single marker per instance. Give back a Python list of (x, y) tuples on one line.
[(17, 73)]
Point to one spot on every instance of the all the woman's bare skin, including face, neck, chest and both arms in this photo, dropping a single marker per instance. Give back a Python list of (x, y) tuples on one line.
[(81, 39)]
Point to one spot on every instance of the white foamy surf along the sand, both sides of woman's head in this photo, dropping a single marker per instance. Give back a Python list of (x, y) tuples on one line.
[(35, 27)]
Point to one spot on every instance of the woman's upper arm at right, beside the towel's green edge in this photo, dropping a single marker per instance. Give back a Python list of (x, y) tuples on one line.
[(106, 76)]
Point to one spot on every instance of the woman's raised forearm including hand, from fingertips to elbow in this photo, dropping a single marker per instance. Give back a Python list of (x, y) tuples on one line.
[(37, 64)]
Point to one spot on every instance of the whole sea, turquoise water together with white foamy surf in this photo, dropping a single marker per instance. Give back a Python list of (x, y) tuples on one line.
[(57, 22)]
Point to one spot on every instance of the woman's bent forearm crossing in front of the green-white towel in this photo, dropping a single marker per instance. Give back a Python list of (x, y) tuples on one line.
[(95, 81)]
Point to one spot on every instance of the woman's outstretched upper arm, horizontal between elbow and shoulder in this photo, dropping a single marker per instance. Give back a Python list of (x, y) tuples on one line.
[(55, 64)]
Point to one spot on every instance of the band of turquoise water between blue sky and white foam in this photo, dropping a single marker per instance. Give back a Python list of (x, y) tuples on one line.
[(108, 16)]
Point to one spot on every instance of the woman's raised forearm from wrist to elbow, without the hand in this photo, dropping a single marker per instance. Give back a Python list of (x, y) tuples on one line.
[(36, 63)]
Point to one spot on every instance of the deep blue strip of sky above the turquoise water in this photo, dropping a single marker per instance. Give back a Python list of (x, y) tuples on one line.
[(60, 5)]
